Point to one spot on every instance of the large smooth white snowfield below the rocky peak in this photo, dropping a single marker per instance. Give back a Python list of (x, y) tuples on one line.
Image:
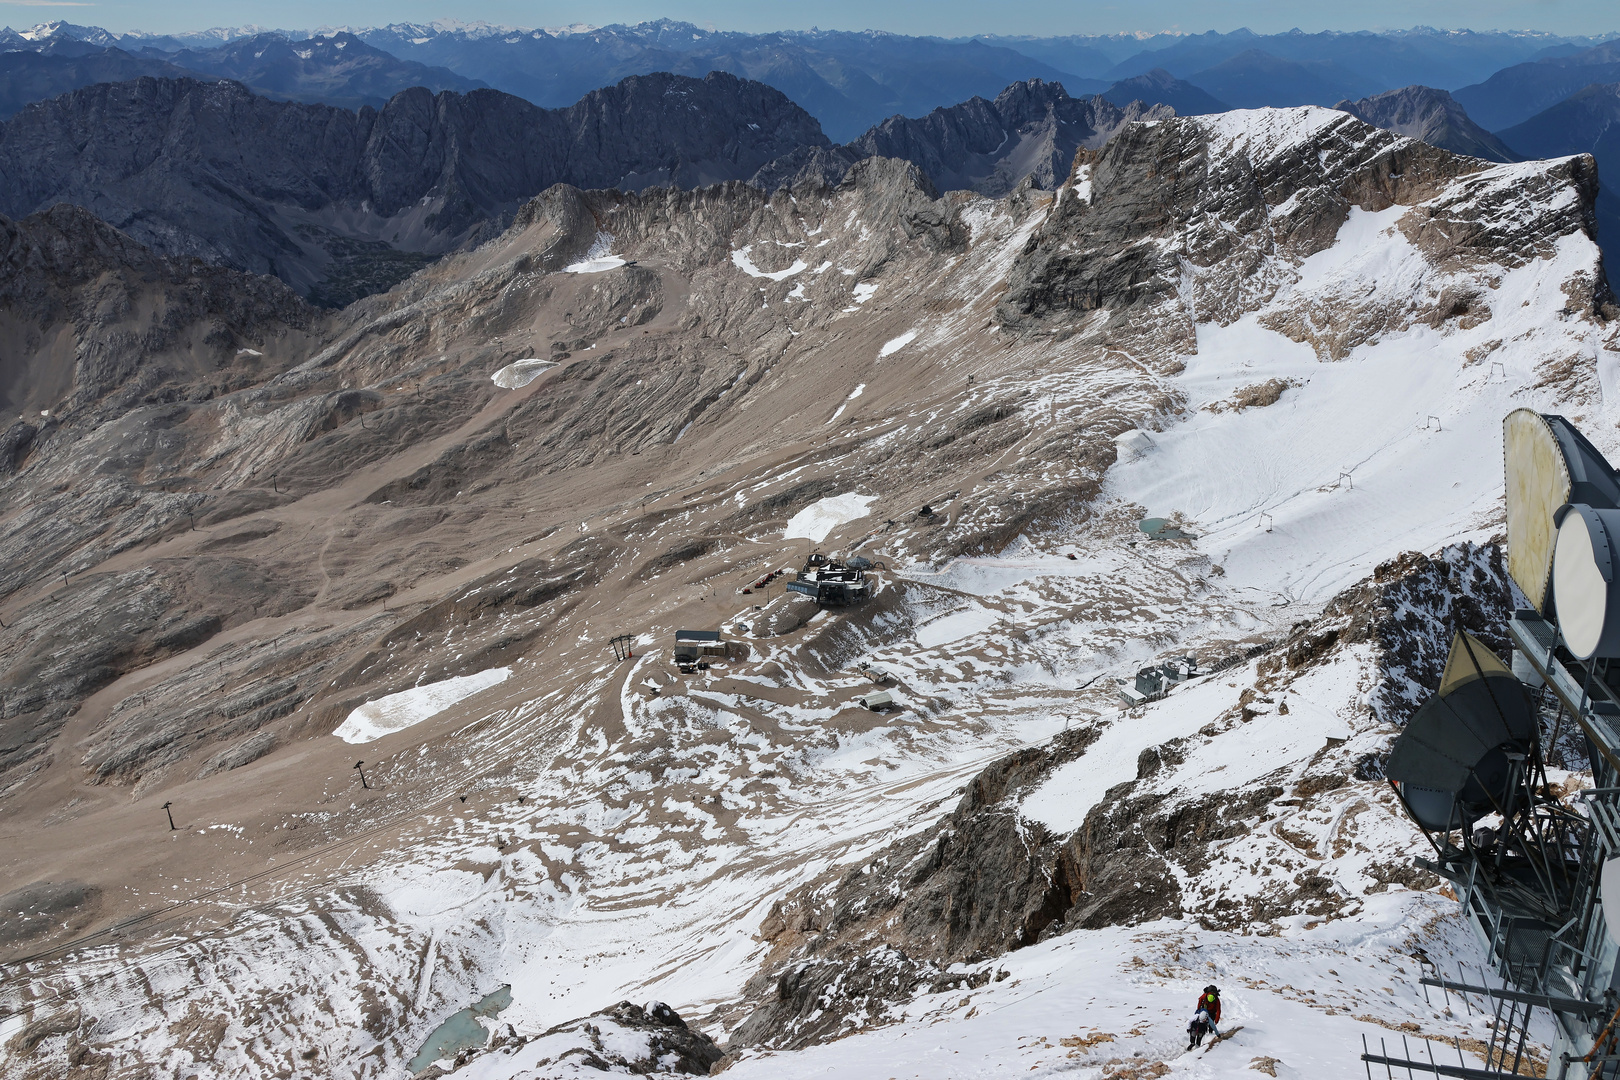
[(1396, 448)]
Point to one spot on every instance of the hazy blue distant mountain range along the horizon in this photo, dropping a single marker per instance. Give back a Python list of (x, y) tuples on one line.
[(850, 82)]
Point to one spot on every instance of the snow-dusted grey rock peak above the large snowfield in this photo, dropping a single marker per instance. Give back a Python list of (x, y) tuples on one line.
[(1177, 219)]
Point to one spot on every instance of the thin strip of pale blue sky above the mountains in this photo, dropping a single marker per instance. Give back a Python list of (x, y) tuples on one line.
[(908, 17)]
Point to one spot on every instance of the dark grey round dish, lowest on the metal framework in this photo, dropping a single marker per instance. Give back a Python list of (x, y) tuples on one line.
[(1452, 762)]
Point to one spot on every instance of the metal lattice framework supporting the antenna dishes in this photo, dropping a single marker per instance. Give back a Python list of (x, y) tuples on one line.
[(1533, 888)]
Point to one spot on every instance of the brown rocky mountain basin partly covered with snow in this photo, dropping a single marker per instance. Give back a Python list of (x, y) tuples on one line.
[(1276, 299)]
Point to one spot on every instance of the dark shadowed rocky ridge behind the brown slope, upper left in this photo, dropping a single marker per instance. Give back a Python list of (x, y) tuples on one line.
[(338, 203)]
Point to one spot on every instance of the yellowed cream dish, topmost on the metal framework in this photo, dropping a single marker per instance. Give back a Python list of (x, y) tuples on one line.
[(1548, 464)]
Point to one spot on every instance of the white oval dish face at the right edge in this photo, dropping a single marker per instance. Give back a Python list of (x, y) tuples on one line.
[(1587, 580)]
